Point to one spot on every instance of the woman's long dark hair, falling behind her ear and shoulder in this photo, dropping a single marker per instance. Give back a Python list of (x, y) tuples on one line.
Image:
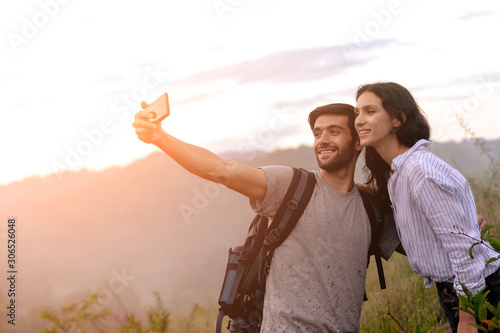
[(400, 104)]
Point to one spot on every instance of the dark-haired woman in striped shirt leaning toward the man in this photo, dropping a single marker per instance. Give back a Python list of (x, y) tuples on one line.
[(433, 205)]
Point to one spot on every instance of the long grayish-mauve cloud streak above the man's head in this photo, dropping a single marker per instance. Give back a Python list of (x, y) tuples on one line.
[(287, 67)]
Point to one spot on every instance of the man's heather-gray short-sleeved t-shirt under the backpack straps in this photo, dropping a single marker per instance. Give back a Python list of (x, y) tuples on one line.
[(317, 275)]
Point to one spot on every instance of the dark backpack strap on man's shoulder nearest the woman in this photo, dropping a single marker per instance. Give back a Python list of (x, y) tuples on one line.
[(376, 224)]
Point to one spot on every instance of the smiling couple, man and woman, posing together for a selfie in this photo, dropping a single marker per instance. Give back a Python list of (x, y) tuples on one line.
[(317, 276)]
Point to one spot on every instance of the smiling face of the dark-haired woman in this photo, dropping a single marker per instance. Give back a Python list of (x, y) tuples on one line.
[(373, 123)]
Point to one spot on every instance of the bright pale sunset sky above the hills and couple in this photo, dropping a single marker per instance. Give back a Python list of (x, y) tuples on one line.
[(242, 75)]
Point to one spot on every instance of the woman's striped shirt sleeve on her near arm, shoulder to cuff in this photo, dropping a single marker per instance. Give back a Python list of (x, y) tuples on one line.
[(452, 220)]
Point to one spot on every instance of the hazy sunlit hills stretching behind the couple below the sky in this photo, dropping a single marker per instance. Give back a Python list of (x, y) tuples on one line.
[(151, 226)]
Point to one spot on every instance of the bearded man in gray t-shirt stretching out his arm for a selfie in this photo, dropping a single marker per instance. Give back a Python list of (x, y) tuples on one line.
[(317, 275)]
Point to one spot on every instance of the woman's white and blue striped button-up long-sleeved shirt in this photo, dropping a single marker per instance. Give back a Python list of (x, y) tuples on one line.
[(436, 219)]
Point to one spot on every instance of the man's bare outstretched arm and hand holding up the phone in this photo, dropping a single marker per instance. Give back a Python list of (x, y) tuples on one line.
[(249, 181)]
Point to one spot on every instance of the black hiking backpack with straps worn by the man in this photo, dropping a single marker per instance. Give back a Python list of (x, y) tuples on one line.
[(242, 294)]
